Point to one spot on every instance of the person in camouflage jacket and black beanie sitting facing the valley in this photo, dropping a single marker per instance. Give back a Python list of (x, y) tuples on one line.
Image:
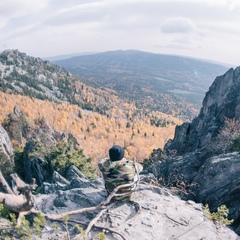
[(117, 170)]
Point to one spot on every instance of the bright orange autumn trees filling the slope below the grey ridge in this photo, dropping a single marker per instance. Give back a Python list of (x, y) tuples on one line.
[(96, 133)]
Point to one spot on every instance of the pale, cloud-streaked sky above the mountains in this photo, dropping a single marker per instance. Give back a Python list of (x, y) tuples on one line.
[(205, 29)]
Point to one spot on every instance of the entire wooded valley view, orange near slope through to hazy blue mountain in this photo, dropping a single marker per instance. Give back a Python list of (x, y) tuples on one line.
[(117, 101)]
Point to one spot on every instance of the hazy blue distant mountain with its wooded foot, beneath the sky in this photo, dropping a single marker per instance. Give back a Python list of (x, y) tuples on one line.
[(171, 84)]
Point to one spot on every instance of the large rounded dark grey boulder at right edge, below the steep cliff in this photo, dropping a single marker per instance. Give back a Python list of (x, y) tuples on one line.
[(218, 183)]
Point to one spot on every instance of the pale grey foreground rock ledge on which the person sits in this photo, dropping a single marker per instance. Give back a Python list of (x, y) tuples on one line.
[(154, 213)]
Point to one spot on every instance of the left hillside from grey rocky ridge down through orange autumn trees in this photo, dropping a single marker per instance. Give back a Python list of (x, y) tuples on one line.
[(97, 118)]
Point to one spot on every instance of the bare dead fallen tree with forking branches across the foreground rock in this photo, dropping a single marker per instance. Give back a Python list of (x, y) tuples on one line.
[(24, 203)]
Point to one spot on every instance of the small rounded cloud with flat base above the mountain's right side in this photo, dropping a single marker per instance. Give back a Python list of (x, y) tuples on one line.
[(178, 25)]
